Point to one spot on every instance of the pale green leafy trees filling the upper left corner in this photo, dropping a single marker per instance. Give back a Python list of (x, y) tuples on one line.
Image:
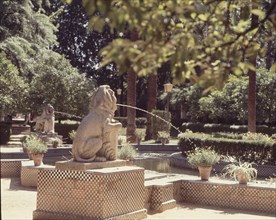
[(31, 72)]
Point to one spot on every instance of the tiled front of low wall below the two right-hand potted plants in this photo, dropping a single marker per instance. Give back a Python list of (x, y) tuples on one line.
[(235, 196)]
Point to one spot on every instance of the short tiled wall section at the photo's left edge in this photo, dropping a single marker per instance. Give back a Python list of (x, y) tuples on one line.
[(10, 168)]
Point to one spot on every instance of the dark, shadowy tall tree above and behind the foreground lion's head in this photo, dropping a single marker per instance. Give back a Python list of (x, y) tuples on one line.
[(82, 46)]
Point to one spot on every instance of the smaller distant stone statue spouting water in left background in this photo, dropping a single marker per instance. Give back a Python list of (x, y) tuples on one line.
[(46, 121)]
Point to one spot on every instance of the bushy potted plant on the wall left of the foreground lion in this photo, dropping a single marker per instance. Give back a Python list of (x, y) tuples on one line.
[(36, 147)]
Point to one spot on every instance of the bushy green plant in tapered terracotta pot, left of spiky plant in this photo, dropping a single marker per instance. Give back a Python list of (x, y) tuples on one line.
[(203, 159)]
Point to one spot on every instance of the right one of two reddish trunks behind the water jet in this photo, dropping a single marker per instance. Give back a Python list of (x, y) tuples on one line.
[(151, 103)]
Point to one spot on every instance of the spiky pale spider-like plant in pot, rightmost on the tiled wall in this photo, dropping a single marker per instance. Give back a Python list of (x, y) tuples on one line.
[(242, 172)]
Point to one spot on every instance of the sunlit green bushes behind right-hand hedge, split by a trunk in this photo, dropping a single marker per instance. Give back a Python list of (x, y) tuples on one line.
[(229, 105)]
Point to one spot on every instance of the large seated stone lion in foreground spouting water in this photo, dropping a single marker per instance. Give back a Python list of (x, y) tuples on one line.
[(97, 135)]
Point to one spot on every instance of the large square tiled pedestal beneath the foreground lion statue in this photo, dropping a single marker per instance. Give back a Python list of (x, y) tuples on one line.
[(108, 193)]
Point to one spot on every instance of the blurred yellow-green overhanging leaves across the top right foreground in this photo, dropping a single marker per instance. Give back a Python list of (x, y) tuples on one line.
[(203, 41)]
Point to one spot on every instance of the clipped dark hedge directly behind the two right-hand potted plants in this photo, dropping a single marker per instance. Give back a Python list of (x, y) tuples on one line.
[(261, 152)]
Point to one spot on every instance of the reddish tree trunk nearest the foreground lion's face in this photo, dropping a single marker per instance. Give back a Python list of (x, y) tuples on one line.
[(131, 99)]
